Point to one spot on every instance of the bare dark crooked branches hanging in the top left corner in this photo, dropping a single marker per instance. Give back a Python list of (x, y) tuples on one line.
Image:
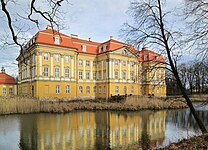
[(33, 14)]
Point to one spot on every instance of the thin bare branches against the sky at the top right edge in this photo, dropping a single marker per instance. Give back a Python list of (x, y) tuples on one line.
[(196, 12)]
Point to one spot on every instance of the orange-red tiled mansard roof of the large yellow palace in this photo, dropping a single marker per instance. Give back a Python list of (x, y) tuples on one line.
[(47, 37)]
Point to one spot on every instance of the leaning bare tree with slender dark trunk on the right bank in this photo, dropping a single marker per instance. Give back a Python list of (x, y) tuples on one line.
[(151, 28)]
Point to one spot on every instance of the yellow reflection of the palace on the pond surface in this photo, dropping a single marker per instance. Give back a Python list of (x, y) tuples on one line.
[(92, 130)]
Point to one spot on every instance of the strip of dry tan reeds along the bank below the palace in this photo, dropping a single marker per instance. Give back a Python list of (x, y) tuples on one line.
[(11, 105)]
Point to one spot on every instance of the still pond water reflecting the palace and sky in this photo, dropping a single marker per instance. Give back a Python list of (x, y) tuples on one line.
[(98, 130)]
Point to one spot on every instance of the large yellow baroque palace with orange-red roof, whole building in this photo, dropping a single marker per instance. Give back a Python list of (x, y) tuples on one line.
[(57, 65)]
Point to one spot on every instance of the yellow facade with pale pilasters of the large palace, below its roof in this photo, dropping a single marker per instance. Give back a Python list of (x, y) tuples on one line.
[(55, 71)]
